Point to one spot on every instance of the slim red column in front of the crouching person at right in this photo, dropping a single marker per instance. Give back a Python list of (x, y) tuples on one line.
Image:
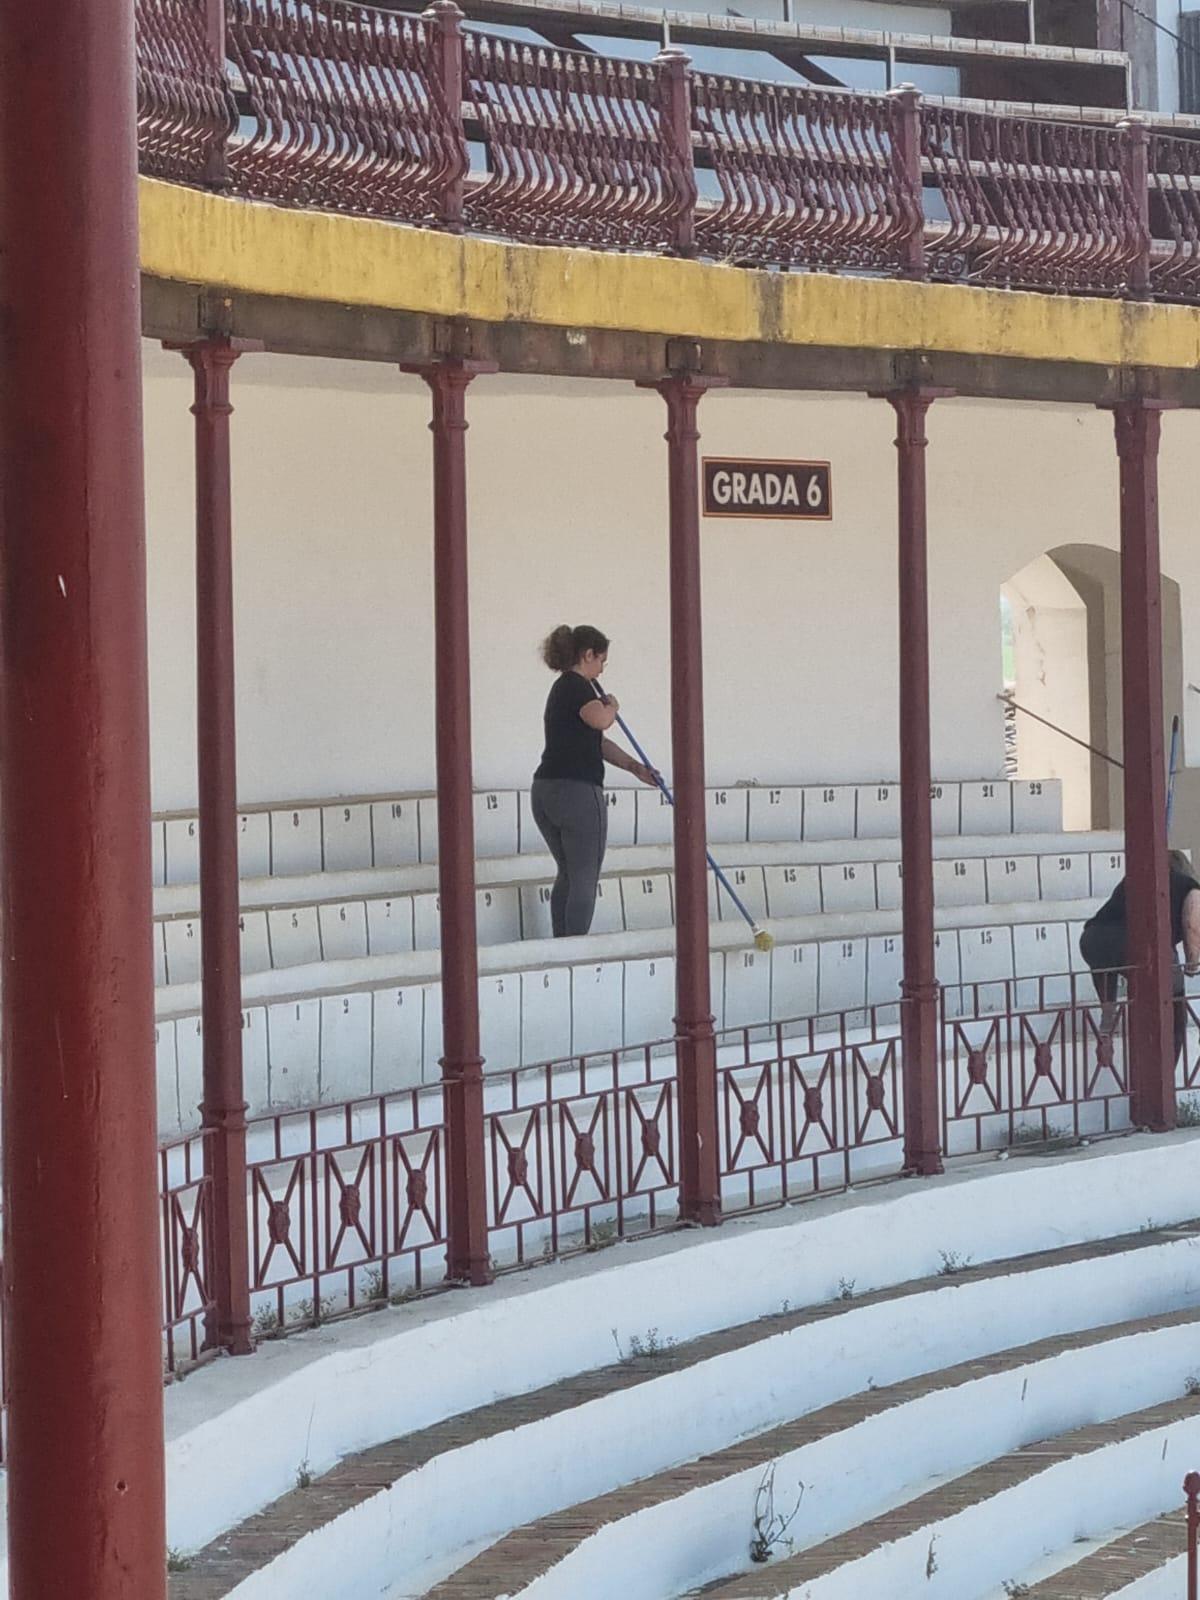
[(1151, 1039)]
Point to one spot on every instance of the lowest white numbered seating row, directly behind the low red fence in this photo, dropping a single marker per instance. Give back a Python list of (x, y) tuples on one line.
[(314, 1049)]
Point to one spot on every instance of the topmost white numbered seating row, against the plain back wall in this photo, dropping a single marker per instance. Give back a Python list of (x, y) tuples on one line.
[(402, 830)]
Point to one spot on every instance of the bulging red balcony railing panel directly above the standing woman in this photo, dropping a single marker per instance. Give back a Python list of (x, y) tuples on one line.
[(577, 150)]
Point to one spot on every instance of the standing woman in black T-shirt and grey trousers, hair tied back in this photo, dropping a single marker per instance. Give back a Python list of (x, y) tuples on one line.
[(569, 788)]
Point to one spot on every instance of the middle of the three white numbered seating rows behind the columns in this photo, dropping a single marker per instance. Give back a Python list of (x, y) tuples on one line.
[(394, 924)]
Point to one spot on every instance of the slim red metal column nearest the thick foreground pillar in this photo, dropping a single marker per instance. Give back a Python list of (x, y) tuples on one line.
[(225, 1103)]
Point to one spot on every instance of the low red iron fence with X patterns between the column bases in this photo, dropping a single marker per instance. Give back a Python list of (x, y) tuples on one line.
[(348, 1204)]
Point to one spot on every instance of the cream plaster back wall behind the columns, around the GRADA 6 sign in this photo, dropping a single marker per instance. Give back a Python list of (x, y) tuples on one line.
[(569, 524)]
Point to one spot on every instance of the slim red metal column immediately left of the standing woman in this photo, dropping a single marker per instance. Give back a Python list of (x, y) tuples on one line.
[(468, 1257)]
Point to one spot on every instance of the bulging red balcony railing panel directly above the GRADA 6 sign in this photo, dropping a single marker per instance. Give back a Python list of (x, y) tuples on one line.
[(806, 177)]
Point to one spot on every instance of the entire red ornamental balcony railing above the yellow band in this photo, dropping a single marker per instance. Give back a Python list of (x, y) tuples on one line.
[(326, 103)]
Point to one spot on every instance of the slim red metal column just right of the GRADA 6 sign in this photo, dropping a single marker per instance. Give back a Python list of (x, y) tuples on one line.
[(921, 991)]
